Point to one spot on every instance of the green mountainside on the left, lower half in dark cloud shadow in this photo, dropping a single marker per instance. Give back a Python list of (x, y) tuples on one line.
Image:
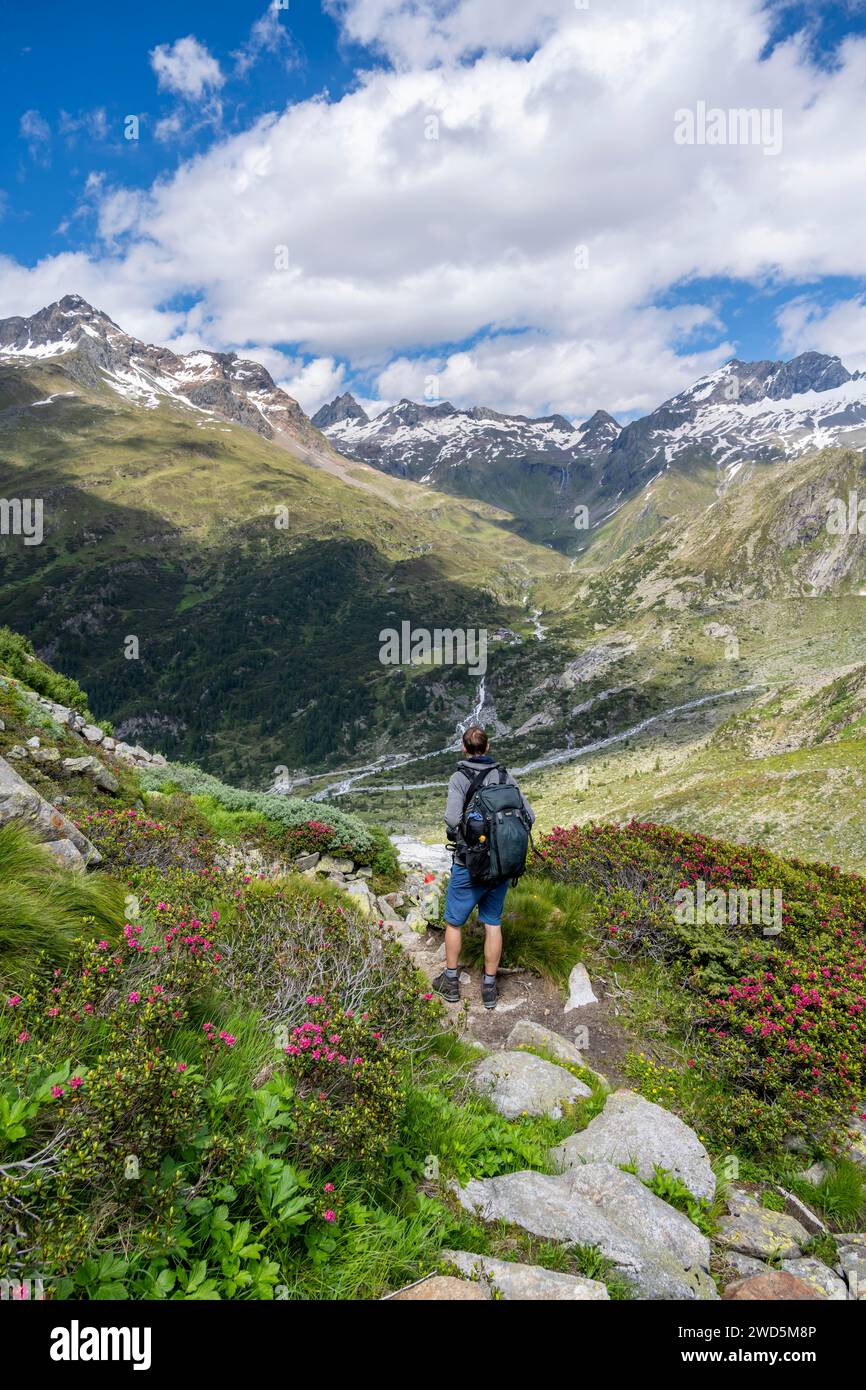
[(258, 643)]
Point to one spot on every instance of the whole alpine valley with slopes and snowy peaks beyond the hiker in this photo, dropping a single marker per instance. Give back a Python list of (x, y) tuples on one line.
[(675, 632)]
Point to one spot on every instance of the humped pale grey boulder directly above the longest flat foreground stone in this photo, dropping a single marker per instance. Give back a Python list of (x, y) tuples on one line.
[(635, 1131)]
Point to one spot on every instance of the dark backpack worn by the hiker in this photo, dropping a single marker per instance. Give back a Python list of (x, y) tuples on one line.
[(496, 829)]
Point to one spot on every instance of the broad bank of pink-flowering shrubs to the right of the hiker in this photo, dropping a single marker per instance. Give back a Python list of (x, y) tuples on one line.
[(782, 1020)]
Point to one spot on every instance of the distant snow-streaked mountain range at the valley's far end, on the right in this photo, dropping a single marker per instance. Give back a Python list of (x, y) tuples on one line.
[(544, 469)]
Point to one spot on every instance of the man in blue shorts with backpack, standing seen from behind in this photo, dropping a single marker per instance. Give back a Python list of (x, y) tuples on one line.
[(489, 824)]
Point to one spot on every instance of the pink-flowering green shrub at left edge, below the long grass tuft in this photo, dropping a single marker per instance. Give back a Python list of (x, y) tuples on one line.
[(104, 1031)]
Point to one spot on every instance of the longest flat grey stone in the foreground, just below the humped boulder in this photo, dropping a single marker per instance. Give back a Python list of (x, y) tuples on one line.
[(655, 1248)]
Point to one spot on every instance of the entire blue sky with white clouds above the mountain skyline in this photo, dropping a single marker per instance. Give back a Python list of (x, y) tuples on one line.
[(441, 265)]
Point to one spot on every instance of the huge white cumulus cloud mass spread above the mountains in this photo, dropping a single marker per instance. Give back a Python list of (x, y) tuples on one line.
[(503, 204)]
